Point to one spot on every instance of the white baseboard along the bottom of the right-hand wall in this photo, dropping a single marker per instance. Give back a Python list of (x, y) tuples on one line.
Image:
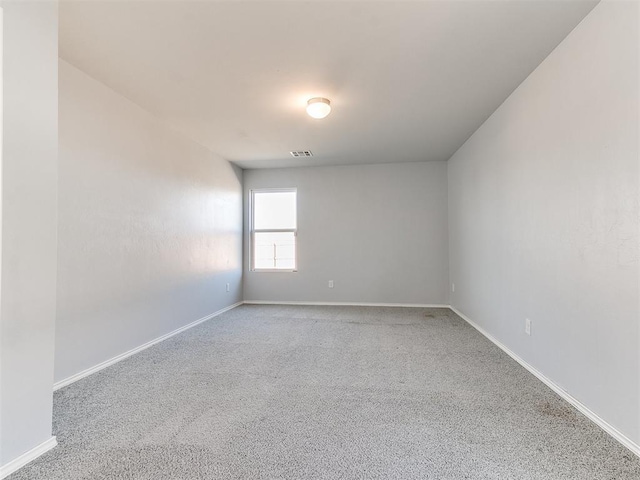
[(620, 437)]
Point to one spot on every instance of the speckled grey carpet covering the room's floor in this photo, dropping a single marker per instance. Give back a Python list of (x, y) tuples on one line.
[(280, 392)]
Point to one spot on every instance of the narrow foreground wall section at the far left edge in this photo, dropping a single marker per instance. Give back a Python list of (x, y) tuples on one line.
[(29, 191)]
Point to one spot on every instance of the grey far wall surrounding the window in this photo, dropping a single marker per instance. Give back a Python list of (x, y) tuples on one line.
[(378, 231)]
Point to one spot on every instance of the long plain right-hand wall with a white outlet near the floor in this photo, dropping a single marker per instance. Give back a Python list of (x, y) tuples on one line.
[(544, 219)]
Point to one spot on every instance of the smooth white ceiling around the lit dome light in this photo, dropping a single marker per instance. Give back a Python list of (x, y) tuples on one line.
[(408, 81)]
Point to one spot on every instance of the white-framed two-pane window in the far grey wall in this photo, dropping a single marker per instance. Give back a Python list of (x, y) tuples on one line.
[(273, 229)]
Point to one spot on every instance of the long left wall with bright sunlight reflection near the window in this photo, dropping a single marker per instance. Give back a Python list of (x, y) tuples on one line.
[(150, 227)]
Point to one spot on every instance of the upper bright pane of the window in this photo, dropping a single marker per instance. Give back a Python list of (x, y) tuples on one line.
[(274, 210)]
